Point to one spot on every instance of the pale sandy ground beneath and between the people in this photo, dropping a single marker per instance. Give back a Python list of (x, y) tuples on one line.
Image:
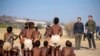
[(84, 44)]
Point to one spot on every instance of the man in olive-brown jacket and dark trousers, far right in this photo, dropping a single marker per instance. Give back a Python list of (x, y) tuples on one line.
[(91, 26)]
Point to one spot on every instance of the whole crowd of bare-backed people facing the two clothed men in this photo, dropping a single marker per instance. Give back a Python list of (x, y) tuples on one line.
[(30, 42)]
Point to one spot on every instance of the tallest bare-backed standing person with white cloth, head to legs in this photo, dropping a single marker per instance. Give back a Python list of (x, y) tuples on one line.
[(55, 39)]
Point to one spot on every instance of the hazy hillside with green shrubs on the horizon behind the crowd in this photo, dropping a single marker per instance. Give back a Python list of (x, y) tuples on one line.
[(10, 21)]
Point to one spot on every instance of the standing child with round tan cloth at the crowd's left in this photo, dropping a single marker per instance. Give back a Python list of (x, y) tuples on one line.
[(9, 40)]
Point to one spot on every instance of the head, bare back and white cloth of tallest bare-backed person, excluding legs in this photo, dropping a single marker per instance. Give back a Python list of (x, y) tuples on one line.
[(56, 32)]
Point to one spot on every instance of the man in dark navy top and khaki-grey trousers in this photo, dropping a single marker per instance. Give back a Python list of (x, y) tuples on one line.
[(78, 31)]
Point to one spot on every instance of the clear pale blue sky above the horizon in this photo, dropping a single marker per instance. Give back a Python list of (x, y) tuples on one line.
[(66, 10)]
